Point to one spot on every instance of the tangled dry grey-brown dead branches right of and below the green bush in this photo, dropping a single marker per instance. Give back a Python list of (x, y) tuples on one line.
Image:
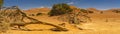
[(75, 17)]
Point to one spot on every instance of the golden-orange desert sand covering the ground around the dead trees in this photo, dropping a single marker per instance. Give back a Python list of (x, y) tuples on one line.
[(106, 23)]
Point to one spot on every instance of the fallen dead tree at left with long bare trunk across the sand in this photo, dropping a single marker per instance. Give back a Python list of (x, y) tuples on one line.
[(14, 17)]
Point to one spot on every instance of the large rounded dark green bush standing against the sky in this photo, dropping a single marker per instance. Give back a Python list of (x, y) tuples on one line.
[(59, 9)]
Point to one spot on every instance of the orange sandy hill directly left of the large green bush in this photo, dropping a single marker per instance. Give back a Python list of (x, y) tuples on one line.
[(37, 10)]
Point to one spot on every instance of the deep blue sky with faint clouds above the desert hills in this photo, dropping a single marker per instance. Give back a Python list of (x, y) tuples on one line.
[(99, 4)]
